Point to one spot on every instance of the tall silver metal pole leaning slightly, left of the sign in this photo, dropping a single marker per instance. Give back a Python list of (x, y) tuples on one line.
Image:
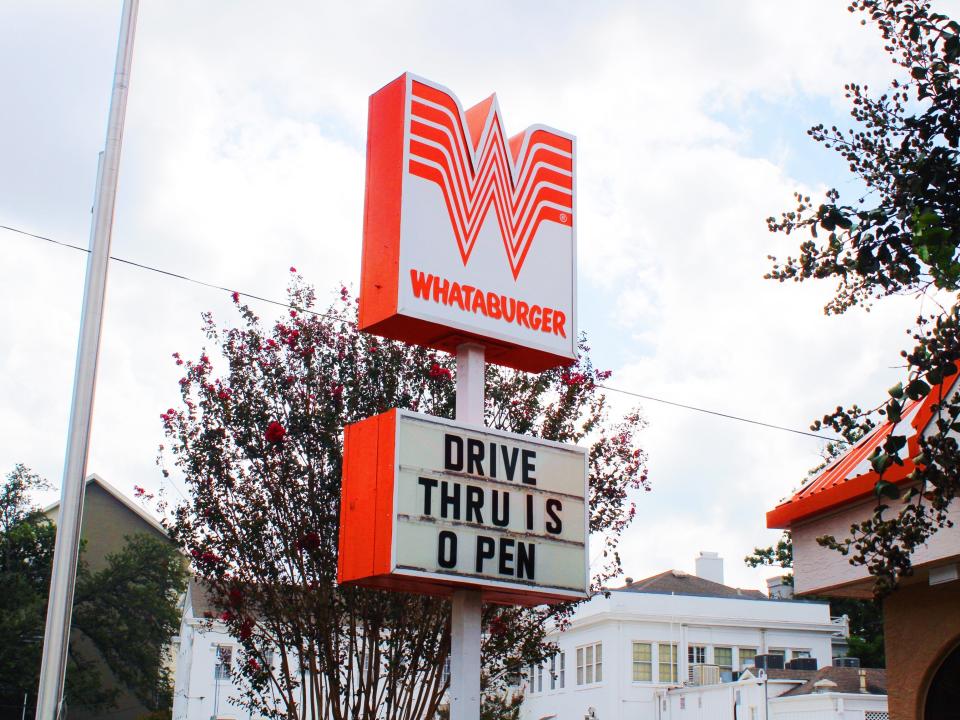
[(60, 601)]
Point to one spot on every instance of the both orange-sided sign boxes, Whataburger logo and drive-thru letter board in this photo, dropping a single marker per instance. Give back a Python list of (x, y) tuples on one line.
[(468, 238)]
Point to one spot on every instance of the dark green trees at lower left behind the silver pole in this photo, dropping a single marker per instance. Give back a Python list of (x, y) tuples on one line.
[(128, 609)]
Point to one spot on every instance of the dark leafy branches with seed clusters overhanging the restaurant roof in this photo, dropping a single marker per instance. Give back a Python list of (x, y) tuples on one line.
[(899, 237)]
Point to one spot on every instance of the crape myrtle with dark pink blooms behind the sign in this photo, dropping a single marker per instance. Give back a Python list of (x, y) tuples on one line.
[(259, 444)]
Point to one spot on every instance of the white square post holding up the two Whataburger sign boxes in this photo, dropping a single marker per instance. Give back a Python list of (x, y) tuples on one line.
[(467, 604)]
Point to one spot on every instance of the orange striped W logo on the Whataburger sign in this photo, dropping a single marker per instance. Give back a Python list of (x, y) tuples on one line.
[(528, 183)]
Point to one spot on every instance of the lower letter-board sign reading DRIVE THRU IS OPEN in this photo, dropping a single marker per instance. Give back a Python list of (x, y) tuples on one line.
[(430, 505)]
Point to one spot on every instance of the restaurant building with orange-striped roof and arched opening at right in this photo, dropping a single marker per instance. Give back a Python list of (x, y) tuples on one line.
[(922, 617)]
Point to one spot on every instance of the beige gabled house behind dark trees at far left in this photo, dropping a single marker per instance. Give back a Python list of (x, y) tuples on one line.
[(109, 517)]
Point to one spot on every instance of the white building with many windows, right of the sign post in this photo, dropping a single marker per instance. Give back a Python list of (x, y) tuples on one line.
[(622, 653)]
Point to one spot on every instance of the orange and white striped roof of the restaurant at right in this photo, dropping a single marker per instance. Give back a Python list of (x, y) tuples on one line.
[(851, 477)]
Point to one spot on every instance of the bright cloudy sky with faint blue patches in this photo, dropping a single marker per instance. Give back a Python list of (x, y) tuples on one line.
[(244, 155)]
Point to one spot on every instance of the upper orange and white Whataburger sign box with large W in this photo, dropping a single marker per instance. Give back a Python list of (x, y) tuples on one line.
[(468, 235)]
